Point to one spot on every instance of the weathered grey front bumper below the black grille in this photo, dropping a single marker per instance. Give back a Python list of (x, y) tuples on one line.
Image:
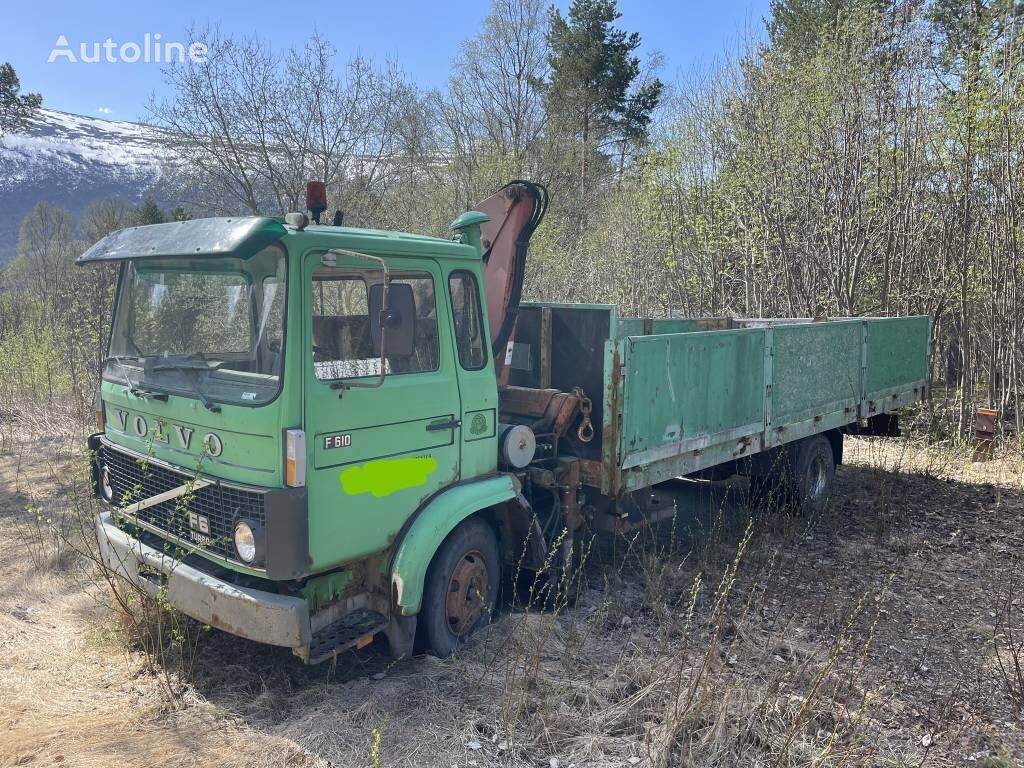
[(255, 615)]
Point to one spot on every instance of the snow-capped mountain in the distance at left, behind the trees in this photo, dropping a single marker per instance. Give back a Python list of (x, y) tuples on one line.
[(70, 161)]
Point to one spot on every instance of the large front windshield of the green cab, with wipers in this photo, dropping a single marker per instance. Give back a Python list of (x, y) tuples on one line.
[(209, 329)]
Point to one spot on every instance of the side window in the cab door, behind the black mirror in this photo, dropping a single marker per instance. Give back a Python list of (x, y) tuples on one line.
[(343, 343)]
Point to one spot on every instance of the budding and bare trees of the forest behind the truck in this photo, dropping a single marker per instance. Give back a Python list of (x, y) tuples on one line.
[(852, 158)]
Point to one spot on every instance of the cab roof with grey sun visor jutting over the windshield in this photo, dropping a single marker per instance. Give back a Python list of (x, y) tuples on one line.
[(246, 236)]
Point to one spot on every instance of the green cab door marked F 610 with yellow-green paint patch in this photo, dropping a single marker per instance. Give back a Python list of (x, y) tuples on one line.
[(374, 453)]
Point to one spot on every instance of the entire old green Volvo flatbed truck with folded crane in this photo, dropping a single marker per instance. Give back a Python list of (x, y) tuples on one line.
[(314, 436)]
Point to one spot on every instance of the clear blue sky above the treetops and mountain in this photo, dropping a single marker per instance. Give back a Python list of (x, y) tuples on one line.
[(423, 38)]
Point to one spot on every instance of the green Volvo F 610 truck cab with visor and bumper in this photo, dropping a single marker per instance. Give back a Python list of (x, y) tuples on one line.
[(295, 418)]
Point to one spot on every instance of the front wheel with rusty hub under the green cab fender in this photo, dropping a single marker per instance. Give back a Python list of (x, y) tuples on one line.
[(454, 604)]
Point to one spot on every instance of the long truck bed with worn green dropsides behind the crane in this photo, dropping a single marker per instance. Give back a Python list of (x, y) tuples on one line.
[(678, 396)]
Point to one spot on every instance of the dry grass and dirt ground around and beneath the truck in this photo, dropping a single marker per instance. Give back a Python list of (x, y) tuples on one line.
[(873, 635)]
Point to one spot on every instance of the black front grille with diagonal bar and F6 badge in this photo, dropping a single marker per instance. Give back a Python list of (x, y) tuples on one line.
[(136, 480)]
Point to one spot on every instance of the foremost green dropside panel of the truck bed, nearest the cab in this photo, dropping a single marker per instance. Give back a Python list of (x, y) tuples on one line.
[(686, 387)]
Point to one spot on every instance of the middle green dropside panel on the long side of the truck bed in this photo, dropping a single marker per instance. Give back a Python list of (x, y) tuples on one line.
[(817, 370)]
